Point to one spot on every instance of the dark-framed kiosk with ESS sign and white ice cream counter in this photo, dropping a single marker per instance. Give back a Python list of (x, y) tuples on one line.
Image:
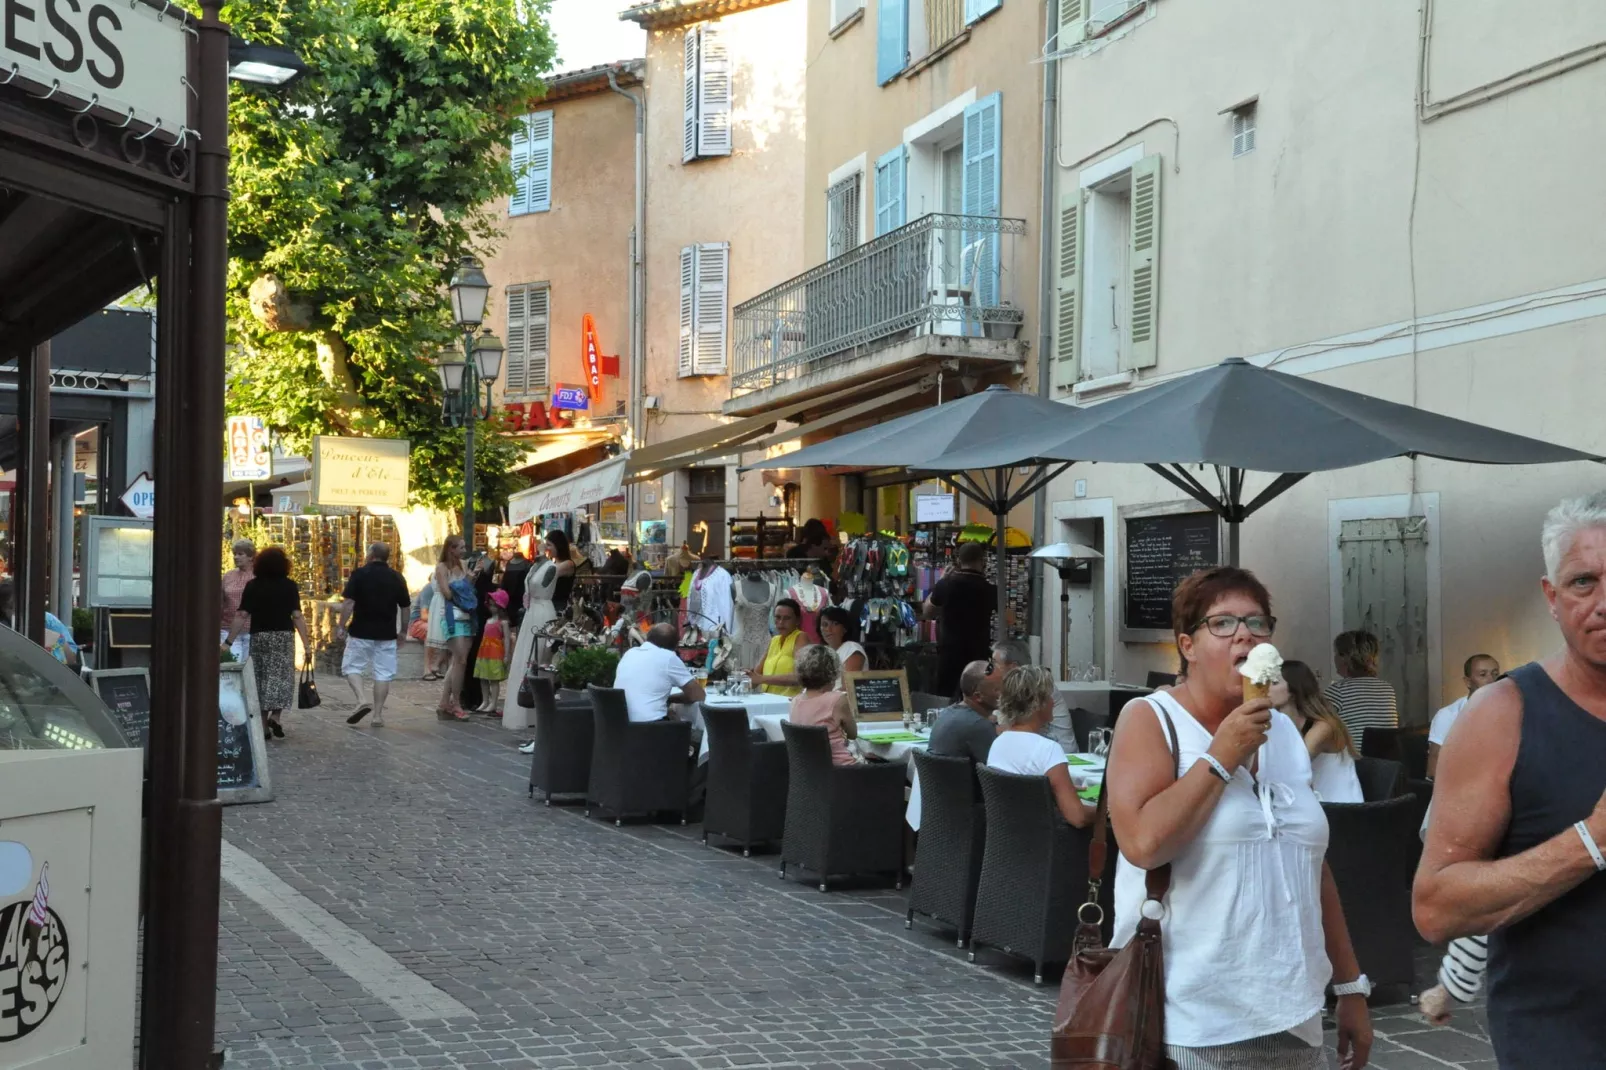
[(113, 171)]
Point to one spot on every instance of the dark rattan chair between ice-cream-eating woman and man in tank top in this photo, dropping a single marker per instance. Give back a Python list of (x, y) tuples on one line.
[(1372, 851)]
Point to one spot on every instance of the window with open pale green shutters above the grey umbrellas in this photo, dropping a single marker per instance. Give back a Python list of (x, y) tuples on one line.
[(1107, 301)]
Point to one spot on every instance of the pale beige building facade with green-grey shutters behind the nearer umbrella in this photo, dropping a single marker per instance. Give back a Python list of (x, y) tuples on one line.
[(1387, 202)]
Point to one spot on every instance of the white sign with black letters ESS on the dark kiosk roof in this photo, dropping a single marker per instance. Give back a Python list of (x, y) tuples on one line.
[(128, 57)]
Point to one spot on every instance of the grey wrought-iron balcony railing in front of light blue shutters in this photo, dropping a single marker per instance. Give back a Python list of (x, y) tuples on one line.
[(948, 276)]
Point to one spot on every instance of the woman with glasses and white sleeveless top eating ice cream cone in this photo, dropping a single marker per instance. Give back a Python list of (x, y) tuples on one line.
[(1207, 778)]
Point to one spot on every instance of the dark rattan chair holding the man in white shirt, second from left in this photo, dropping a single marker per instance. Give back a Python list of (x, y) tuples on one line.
[(637, 770)]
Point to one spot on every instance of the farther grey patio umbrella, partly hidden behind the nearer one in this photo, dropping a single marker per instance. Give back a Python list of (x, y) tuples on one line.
[(997, 433)]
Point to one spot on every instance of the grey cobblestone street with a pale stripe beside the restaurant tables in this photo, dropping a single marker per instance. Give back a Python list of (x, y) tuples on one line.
[(404, 904)]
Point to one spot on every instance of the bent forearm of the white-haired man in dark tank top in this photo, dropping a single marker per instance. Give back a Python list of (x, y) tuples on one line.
[(1472, 899)]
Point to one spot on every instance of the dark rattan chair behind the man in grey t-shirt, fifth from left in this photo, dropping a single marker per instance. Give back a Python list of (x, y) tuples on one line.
[(953, 836)]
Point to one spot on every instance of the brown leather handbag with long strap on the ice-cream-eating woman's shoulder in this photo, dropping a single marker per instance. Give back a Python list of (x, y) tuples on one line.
[(1112, 1011)]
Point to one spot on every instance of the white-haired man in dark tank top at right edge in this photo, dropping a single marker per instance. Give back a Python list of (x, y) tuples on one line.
[(1515, 847)]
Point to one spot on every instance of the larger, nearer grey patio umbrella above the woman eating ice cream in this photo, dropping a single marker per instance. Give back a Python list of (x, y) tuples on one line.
[(1239, 419)]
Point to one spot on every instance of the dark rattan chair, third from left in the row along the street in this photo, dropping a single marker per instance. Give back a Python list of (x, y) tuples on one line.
[(748, 782)]
